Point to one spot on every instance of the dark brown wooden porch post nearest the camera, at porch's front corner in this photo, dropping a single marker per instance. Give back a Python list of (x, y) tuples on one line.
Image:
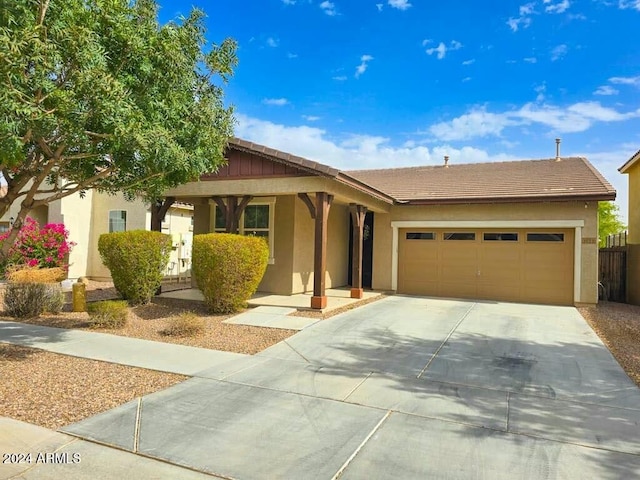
[(323, 203)]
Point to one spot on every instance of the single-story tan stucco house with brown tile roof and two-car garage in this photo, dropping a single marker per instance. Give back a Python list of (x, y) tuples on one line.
[(523, 231)]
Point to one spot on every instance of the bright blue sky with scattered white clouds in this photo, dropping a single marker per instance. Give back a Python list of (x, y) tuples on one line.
[(386, 83)]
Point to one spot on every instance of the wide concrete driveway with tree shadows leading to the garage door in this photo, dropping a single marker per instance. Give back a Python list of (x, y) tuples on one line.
[(404, 387)]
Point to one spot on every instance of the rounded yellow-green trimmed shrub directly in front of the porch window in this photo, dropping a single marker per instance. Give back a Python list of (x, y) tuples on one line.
[(228, 268)]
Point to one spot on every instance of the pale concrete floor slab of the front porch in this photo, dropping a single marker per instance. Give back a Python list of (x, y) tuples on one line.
[(336, 298)]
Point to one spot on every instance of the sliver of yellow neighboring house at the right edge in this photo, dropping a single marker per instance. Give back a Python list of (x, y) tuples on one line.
[(632, 168)]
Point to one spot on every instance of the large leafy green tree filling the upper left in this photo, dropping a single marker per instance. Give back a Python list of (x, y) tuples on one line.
[(98, 94)]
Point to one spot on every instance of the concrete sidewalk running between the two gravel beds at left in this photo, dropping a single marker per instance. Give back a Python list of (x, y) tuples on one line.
[(164, 357)]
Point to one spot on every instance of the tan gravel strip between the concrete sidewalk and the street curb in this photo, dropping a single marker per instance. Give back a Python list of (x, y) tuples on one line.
[(53, 390)]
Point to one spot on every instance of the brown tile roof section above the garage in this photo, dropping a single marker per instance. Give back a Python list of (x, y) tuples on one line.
[(569, 178)]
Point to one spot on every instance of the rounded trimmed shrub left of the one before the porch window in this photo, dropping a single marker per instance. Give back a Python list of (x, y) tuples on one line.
[(137, 260)]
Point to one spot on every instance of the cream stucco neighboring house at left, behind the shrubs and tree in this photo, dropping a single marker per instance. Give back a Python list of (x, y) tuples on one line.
[(97, 213)]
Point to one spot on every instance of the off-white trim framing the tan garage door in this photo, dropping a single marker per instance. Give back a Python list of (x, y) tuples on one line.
[(576, 224)]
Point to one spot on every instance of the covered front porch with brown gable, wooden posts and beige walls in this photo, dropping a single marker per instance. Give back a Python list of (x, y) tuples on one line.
[(303, 210)]
